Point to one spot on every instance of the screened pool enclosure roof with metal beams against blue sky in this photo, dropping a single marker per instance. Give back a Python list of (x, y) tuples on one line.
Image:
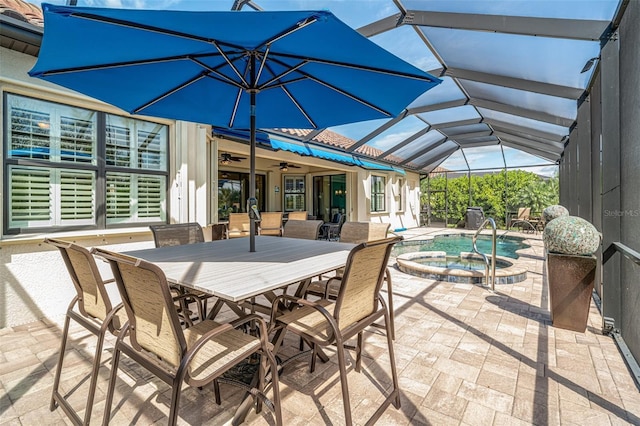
[(514, 74)]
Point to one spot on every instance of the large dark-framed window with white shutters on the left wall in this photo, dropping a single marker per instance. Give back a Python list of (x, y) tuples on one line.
[(68, 167)]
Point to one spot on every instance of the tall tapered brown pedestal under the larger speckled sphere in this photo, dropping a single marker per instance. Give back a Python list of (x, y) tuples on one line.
[(570, 286)]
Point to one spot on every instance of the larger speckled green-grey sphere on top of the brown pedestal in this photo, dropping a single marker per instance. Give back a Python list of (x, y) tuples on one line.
[(571, 235)]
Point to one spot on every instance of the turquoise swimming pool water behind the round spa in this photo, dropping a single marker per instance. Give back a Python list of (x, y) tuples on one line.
[(455, 243)]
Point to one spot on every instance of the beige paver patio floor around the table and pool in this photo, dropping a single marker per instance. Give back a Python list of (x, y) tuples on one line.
[(465, 356)]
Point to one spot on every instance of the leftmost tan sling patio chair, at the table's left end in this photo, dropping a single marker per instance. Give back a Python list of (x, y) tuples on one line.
[(92, 309)]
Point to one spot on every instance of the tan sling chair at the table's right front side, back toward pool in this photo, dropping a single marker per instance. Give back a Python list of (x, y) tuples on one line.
[(359, 304)]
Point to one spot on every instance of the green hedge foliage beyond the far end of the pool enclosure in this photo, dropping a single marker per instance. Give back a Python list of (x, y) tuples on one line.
[(497, 194)]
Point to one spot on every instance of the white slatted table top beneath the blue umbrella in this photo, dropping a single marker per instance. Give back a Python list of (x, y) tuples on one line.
[(226, 269)]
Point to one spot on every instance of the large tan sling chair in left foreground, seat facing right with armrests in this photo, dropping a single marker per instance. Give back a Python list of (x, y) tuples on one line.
[(197, 356)]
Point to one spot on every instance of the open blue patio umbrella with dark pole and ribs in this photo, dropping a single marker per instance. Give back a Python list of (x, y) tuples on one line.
[(241, 70)]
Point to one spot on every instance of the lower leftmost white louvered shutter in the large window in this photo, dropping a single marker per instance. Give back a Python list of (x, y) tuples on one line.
[(30, 197)]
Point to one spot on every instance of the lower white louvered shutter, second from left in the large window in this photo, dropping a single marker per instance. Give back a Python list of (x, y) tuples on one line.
[(77, 196)]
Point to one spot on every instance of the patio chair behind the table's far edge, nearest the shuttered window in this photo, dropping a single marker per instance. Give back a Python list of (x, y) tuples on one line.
[(177, 234)]
